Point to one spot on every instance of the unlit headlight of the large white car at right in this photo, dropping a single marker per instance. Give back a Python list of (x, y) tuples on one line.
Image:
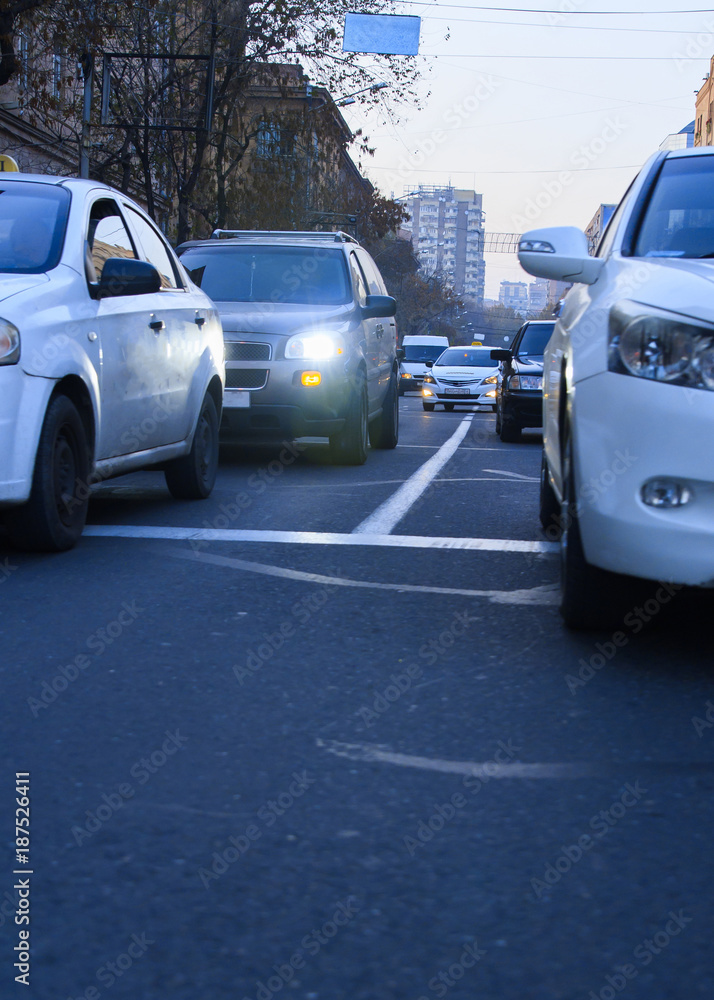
[(656, 344)]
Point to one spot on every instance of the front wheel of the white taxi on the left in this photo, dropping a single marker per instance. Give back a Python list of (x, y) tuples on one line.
[(53, 518)]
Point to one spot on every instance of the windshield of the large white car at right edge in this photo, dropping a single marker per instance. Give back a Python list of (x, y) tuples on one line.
[(679, 220)]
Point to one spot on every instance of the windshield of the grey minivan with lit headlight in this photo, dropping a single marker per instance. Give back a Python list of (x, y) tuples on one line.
[(297, 275)]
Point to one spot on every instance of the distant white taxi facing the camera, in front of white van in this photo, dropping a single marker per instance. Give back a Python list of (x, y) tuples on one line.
[(464, 375)]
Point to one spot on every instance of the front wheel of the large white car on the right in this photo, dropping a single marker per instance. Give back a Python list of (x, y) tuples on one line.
[(591, 598)]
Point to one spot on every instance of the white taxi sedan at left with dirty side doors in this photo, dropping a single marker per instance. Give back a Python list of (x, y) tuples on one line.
[(111, 359)]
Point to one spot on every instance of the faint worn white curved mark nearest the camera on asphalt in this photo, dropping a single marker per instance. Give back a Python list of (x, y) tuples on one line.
[(490, 769)]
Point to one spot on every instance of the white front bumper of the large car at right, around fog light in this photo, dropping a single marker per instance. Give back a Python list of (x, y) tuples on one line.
[(628, 430)]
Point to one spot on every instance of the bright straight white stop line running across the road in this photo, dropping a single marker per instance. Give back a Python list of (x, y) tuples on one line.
[(161, 532)]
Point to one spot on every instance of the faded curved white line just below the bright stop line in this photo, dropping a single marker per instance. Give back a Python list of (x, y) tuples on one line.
[(547, 596)]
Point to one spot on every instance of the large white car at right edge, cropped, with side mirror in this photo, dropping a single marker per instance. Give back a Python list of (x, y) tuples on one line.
[(628, 471)]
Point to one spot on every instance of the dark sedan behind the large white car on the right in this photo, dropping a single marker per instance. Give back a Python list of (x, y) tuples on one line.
[(519, 394)]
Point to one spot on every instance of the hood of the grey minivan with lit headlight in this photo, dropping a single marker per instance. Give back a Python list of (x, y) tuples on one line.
[(279, 318)]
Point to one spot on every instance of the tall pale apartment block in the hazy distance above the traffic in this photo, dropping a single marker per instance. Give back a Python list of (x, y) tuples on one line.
[(447, 232)]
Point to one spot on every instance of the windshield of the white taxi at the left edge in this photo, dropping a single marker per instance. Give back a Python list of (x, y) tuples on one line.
[(33, 218)]
